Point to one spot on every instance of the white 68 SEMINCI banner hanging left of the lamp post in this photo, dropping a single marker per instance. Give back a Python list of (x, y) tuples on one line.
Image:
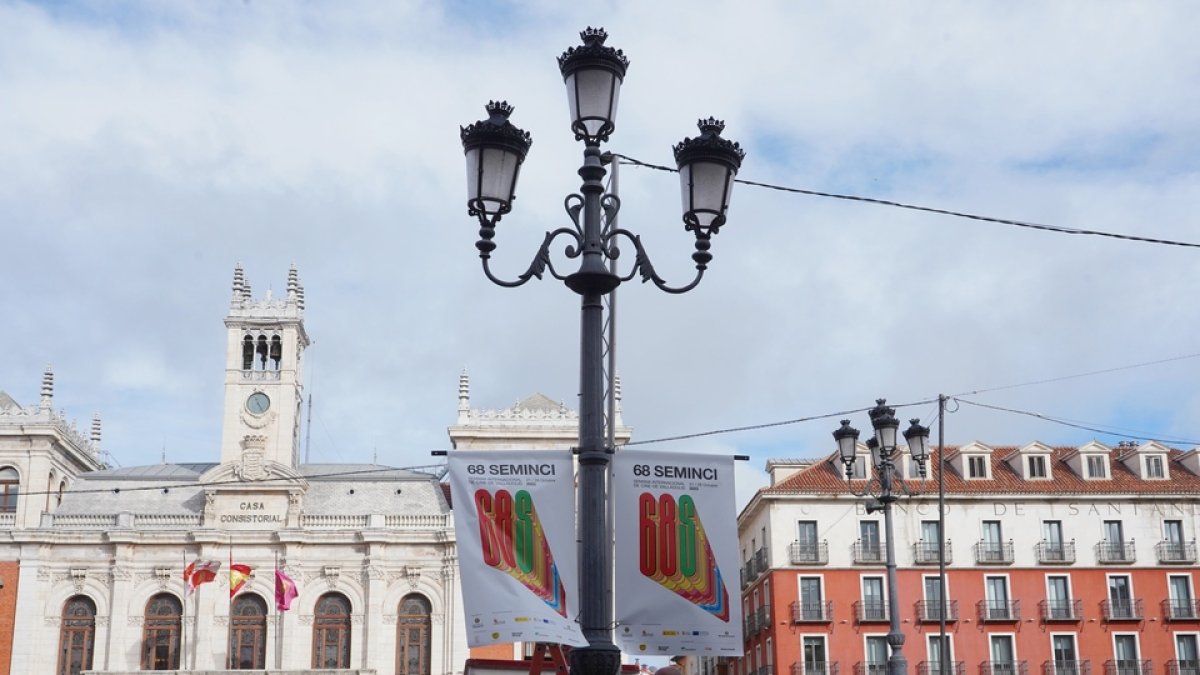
[(514, 515)]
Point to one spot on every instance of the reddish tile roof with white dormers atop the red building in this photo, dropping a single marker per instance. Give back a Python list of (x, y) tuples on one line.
[(826, 477)]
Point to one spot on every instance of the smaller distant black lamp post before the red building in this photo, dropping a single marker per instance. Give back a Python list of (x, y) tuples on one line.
[(884, 458)]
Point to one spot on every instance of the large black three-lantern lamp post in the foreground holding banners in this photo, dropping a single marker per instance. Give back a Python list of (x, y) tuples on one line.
[(496, 150)]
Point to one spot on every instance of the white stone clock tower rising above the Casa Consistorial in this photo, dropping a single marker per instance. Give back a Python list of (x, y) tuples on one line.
[(266, 342)]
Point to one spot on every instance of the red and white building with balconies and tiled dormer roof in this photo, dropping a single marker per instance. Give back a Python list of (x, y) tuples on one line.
[(1060, 561)]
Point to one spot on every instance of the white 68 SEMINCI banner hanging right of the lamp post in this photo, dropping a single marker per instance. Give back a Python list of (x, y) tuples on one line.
[(677, 554)]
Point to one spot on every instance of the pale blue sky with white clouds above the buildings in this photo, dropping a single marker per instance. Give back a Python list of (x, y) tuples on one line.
[(147, 148)]
